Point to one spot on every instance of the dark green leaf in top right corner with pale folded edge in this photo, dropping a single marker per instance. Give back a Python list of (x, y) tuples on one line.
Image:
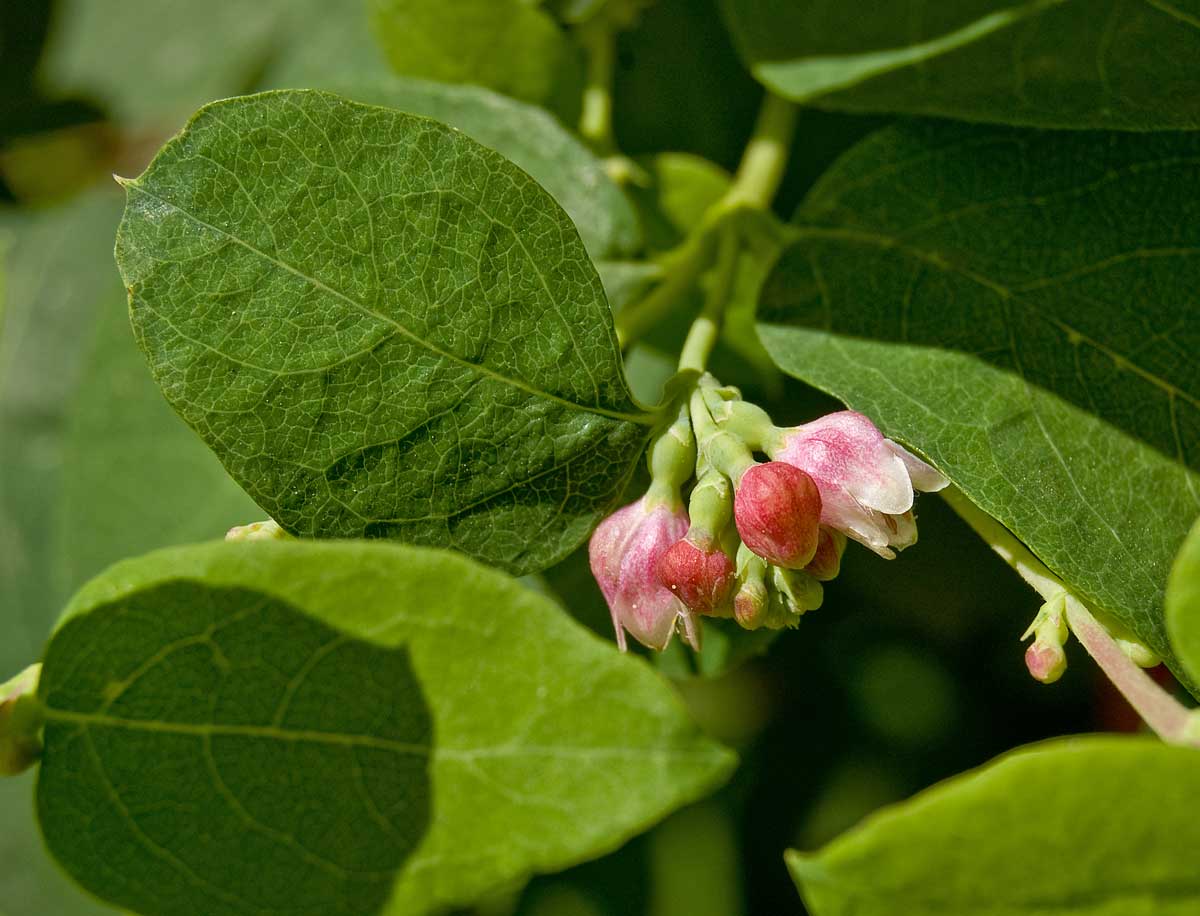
[(1120, 64)]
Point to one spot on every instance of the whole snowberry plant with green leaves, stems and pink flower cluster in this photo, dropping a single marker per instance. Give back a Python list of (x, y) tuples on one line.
[(464, 340)]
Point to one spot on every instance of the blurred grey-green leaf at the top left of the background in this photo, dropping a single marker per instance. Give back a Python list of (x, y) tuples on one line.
[(157, 62)]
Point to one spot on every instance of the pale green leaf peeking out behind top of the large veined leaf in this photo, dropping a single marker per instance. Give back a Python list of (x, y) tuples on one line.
[(524, 134)]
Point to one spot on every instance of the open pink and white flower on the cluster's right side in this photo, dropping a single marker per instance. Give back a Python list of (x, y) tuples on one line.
[(867, 482)]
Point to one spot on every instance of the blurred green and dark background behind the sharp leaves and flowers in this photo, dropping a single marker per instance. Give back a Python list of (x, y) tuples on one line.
[(910, 673)]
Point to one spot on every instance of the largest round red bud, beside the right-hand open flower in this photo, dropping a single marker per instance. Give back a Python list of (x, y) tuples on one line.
[(777, 510)]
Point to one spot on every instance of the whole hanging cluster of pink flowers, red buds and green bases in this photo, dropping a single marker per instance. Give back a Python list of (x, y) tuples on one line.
[(757, 538)]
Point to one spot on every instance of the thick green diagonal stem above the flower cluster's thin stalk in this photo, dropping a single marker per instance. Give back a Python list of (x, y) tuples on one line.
[(754, 185)]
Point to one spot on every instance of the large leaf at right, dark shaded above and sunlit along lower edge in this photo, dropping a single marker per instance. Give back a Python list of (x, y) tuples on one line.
[(1022, 308)]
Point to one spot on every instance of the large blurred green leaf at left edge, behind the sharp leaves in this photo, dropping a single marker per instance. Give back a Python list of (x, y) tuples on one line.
[(97, 468)]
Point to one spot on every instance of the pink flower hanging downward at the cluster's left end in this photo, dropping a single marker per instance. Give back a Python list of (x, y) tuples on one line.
[(625, 553)]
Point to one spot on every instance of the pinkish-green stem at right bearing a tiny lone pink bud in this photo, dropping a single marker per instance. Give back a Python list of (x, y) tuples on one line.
[(1163, 714)]
